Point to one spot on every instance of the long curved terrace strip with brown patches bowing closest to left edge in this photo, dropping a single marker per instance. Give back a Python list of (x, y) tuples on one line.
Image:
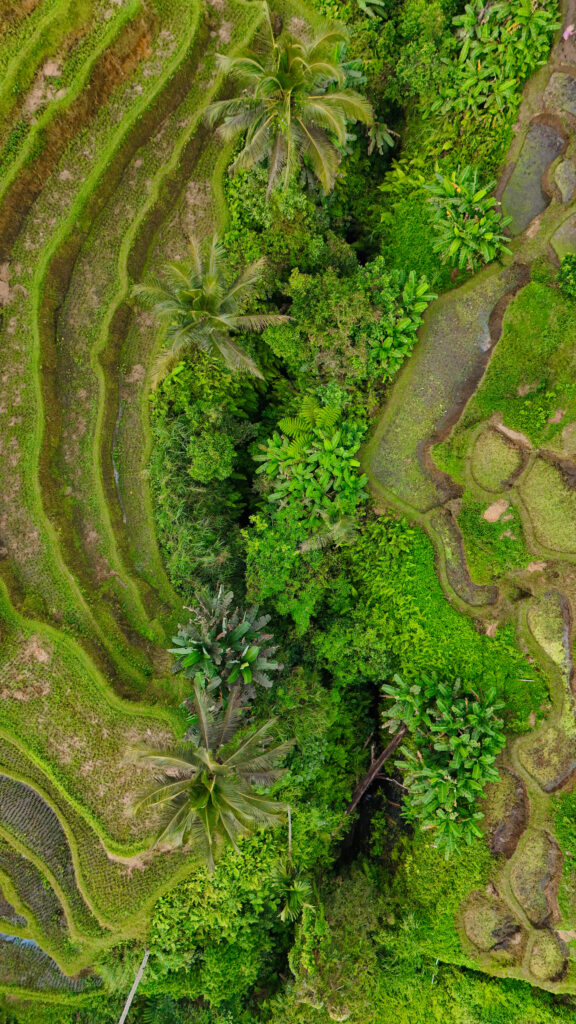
[(40, 569)]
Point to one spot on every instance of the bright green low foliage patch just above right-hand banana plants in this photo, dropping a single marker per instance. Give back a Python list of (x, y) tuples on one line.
[(386, 613)]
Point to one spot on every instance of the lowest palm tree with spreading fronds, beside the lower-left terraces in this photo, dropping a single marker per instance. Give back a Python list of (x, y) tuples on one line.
[(208, 785)]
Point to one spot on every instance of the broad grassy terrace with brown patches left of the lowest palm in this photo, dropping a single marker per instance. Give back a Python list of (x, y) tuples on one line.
[(81, 732)]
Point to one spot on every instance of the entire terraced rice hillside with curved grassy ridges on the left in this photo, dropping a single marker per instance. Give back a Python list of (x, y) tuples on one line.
[(93, 168)]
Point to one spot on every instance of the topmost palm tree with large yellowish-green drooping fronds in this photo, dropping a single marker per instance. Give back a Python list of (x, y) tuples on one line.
[(294, 108)]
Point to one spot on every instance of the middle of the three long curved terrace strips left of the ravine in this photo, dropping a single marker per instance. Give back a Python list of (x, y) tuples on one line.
[(95, 293)]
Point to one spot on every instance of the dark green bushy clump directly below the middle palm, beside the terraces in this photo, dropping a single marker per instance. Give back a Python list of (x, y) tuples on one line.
[(202, 419)]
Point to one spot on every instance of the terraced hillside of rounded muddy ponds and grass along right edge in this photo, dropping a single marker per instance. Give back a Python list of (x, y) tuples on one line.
[(478, 446)]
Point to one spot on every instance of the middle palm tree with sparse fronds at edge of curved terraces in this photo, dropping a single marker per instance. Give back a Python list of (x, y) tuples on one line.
[(202, 311)]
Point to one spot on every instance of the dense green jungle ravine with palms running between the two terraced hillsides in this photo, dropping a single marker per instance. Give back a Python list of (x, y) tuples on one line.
[(314, 623)]
